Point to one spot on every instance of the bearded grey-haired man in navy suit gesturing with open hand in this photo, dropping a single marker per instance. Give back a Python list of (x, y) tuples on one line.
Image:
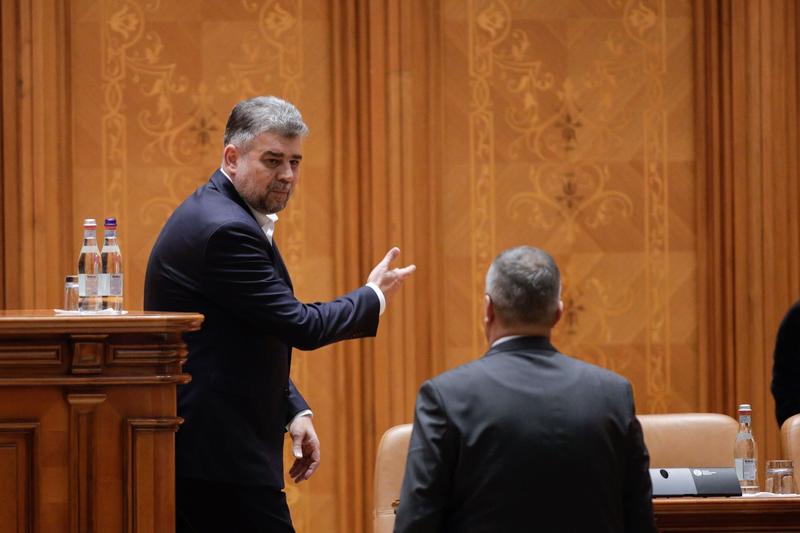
[(216, 255)]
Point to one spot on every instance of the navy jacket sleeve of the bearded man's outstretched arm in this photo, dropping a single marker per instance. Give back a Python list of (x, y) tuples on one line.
[(240, 276)]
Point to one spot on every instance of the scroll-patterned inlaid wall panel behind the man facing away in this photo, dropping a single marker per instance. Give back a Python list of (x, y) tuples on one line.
[(577, 127)]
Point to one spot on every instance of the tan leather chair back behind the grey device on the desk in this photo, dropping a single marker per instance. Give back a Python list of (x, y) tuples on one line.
[(689, 439)]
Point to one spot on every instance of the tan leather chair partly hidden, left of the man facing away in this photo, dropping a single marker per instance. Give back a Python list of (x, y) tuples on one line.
[(389, 469)]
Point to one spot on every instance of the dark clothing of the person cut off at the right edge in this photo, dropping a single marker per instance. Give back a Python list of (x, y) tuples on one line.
[(786, 366)]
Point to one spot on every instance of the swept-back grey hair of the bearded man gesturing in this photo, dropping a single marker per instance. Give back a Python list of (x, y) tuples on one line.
[(254, 116)]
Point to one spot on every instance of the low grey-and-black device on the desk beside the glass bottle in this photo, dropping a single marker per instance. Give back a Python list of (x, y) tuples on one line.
[(695, 482)]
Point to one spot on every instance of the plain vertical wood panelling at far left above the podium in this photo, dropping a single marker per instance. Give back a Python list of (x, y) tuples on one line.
[(36, 184)]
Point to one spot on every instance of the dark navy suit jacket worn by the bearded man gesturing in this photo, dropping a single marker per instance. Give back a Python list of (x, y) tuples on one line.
[(212, 257)]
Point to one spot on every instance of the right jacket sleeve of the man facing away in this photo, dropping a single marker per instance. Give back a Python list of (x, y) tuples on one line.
[(638, 489)]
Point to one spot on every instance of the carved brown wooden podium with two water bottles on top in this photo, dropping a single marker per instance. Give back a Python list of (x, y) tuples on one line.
[(88, 421)]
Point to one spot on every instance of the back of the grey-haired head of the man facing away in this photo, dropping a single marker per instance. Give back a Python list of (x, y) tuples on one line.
[(525, 286)]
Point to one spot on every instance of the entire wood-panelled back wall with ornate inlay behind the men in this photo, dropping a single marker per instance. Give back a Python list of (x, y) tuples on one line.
[(650, 145)]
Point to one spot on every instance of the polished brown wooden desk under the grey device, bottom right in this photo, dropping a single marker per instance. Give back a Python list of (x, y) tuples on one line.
[(740, 515)]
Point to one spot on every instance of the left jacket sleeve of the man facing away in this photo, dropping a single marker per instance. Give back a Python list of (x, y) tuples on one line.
[(429, 467)]
